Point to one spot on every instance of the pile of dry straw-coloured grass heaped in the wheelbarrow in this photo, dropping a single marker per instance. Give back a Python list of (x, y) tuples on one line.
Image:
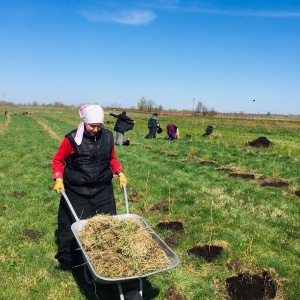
[(121, 248)]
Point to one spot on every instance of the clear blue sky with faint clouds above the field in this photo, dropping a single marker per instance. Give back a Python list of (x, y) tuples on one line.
[(224, 54)]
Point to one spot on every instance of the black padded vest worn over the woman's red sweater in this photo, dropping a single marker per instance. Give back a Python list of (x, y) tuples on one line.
[(88, 169)]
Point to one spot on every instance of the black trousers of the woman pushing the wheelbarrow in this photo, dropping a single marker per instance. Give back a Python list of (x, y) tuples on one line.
[(85, 207)]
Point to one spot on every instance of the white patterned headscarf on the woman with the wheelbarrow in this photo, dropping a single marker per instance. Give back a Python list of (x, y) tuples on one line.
[(90, 114)]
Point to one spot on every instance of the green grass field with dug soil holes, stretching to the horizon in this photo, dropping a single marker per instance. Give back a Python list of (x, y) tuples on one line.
[(256, 225)]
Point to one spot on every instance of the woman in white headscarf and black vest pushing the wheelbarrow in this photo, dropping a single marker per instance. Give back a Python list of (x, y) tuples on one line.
[(83, 167)]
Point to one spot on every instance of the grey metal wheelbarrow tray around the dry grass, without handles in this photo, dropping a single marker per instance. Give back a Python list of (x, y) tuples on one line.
[(78, 226)]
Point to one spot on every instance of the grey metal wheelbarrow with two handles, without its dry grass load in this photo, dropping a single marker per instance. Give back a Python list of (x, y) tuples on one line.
[(90, 274)]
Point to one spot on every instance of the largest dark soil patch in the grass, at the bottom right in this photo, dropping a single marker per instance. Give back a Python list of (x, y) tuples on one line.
[(248, 287)]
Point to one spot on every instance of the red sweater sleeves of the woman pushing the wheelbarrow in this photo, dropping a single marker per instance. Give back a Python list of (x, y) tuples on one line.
[(66, 149)]
